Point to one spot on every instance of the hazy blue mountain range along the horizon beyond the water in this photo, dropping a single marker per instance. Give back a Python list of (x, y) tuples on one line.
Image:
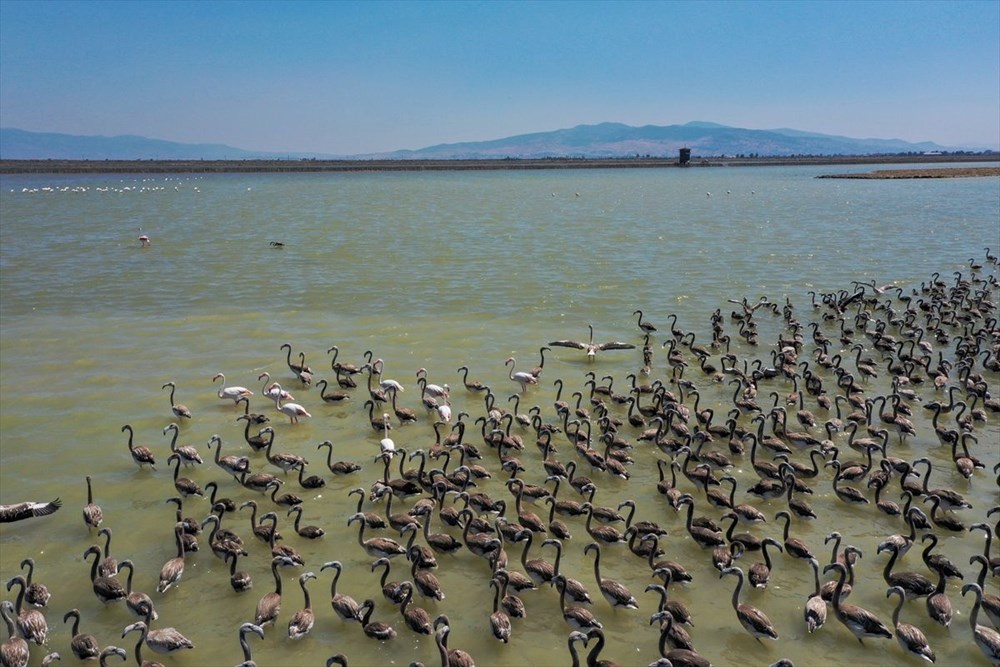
[(604, 140)]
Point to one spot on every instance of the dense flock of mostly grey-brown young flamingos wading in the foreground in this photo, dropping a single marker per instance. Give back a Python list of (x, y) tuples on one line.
[(798, 405)]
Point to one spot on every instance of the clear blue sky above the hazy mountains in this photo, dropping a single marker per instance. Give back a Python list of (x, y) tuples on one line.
[(357, 77)]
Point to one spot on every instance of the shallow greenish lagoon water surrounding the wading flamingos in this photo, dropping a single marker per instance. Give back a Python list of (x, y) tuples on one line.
[(436, 271)]
